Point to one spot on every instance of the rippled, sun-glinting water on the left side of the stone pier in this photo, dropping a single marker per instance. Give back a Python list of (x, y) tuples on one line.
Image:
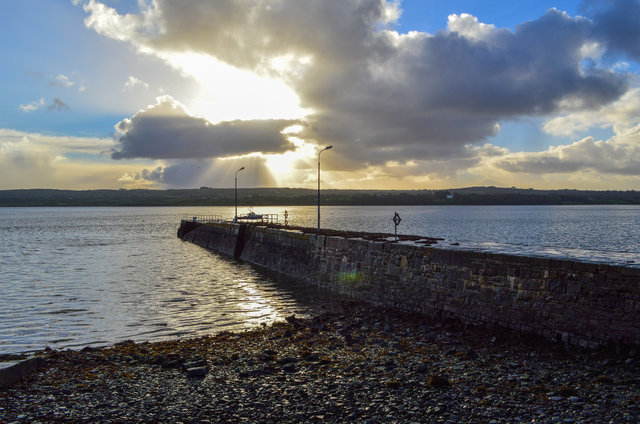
[(98, 276)]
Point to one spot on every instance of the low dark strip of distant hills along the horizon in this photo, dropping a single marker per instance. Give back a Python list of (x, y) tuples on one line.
[(205, 196)]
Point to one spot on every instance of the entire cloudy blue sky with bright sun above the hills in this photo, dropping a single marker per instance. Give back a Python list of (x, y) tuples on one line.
[(413, 94)]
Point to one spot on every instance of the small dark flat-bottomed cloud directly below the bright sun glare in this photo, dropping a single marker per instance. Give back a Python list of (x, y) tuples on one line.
[(167, 131)]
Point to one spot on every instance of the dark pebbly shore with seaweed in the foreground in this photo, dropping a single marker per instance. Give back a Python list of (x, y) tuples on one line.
[(359, 366)]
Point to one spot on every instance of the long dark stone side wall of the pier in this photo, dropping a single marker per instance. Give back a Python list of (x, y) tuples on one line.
[(578, 303)]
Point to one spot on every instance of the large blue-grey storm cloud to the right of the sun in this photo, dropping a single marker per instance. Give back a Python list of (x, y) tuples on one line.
[(430, 96)]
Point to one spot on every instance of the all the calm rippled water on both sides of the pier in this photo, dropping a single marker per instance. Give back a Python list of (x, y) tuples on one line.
[(72, 277)]
